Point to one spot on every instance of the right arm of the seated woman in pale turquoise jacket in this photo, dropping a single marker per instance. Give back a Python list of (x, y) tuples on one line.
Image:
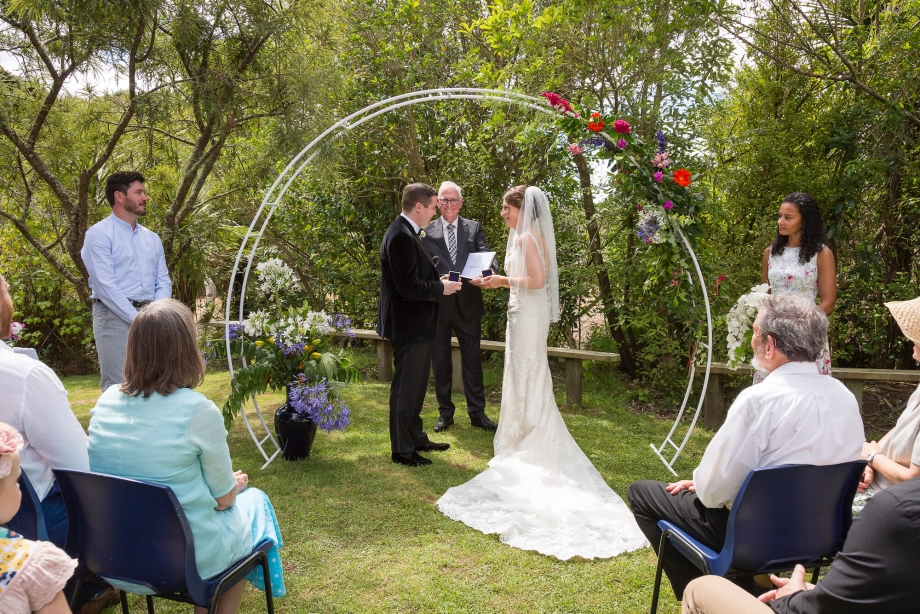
[(207, 435)]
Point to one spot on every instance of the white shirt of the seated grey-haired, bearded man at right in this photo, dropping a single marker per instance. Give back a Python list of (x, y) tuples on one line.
[(794, 417)]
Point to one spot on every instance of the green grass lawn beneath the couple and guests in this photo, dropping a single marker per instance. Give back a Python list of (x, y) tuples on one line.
[(364, 535)]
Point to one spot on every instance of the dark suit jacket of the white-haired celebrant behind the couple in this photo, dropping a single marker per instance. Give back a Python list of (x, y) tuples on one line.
[(470, 238)]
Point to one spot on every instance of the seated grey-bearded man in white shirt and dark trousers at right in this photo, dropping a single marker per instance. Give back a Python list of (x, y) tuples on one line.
[(795, 416)]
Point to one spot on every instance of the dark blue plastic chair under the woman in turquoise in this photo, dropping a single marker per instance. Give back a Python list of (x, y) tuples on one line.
[(137, 532)]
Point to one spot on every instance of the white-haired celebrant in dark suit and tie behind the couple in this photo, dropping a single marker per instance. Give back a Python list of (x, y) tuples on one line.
[(452, 239)]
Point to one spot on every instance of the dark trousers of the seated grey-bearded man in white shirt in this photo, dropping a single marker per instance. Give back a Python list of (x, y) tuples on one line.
[(650, 502)]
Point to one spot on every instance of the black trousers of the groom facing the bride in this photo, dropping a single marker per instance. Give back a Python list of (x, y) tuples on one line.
[(412, 362)]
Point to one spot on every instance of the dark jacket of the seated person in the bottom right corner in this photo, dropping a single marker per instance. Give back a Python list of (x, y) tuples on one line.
[(876, 571)]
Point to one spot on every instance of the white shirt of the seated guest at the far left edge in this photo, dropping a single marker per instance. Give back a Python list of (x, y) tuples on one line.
[(34, 402)]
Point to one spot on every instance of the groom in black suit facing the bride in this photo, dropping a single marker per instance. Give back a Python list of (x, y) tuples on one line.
[(407, 315)]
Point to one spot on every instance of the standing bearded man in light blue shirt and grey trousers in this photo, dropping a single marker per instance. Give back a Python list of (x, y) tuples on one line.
[(127, 270)]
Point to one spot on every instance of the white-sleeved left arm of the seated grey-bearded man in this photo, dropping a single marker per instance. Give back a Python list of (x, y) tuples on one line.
[(734, 451)]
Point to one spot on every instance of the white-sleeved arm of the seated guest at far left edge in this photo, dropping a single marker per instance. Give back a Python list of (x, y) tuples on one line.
[(49, 424)]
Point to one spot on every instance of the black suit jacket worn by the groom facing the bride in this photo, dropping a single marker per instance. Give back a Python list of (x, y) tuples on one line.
[(410, 287)]
